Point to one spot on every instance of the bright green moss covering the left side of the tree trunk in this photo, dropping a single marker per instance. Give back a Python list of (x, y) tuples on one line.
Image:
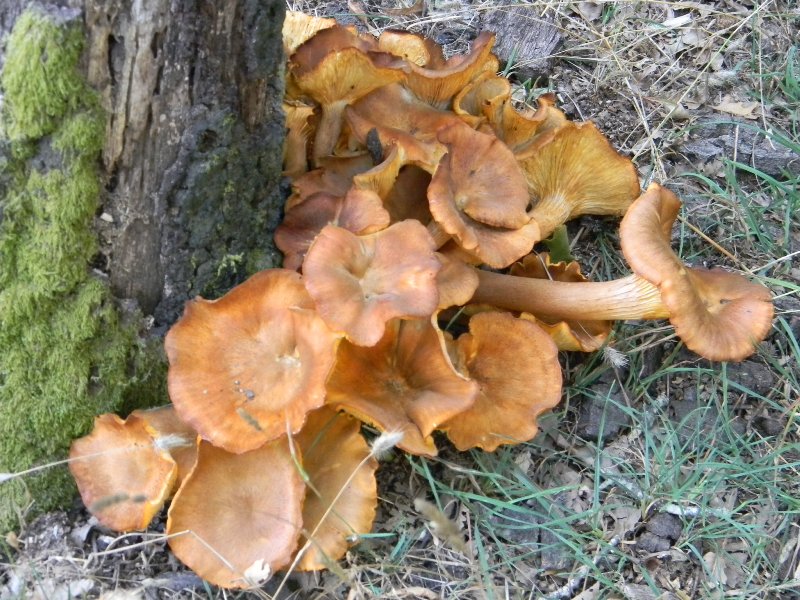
[(65, 353)]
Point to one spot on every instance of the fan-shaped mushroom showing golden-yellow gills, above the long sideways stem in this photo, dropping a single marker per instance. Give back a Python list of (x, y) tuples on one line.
[(578, 173)]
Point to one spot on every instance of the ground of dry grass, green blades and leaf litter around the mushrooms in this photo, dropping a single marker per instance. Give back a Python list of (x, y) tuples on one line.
[(668, 476)]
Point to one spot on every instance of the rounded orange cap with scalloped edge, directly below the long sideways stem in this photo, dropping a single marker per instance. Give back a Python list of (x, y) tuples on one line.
[(515, 364)]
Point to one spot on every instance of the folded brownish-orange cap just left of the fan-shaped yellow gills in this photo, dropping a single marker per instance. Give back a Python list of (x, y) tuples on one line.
[(478, 195)]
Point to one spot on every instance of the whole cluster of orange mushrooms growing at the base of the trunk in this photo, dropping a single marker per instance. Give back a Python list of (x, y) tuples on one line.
[(419, 189)]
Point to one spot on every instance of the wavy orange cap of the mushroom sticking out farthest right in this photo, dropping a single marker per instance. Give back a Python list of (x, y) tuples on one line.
[(718, 315)]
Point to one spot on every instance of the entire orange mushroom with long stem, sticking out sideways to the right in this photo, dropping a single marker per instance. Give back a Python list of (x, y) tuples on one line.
[(722, 315)]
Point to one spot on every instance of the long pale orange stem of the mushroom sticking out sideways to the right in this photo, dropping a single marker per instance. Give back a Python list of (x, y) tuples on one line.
[(629, 298)]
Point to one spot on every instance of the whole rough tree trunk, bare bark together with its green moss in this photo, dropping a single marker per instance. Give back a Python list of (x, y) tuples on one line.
[(189, 194)]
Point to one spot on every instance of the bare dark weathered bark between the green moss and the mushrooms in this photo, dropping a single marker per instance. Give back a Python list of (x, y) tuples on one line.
[(193, 90)]
